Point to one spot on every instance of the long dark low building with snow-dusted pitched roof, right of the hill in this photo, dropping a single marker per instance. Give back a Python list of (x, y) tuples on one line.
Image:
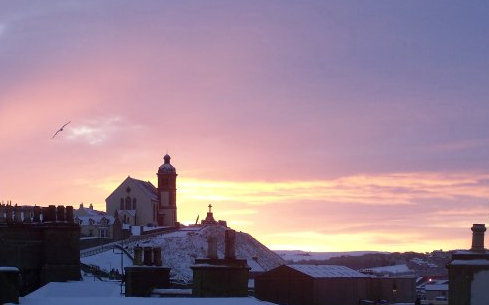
[(329, 285)]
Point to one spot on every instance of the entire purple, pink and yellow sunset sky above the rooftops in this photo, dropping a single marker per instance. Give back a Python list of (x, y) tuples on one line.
[(312, 125)]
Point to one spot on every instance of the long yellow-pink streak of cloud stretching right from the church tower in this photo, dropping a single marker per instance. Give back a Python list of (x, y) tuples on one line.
[(374, 189)]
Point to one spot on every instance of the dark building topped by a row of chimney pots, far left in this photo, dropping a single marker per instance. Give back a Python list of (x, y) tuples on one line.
[(43, 243)]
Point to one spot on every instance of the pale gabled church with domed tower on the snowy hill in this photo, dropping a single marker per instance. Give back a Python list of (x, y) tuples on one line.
[(139, 203)]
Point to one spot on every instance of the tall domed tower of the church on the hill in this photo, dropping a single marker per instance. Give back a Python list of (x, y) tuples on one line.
[(167, 194)]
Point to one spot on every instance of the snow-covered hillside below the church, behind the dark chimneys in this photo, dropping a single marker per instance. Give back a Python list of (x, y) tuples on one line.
[(180, 248)]
